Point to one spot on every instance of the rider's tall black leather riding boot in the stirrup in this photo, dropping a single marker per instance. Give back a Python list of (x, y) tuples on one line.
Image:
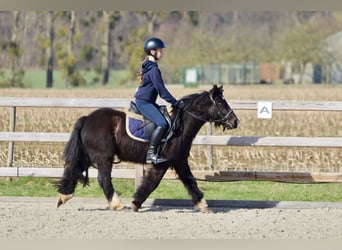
[(152, 155)]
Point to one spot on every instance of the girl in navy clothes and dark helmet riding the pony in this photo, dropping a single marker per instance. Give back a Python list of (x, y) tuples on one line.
[(151, 85)]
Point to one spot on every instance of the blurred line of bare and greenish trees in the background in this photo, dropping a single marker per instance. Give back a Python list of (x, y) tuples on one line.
[(102, 41)]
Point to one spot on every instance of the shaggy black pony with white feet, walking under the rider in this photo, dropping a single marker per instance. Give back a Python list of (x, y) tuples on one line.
[(100, 136)]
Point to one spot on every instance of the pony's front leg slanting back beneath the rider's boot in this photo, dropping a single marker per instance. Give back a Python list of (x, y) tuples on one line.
[(149, 183)]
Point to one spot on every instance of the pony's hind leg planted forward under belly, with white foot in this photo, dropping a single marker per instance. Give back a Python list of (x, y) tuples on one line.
[(105, 181)]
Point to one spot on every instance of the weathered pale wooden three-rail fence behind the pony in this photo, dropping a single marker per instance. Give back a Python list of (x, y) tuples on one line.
[(12, 136)]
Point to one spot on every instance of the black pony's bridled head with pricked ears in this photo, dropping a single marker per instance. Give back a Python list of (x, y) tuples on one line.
[(211, 106)]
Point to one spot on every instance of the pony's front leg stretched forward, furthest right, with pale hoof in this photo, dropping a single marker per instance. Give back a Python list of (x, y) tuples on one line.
[(190, 183)]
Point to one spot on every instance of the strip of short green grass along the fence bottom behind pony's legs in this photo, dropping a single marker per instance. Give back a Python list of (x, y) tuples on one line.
[(244, 190)]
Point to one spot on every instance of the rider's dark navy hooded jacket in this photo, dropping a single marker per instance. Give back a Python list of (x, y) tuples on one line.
[(153, 85)]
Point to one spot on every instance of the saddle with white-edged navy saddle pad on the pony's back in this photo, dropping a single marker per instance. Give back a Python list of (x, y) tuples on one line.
[(141, 128)]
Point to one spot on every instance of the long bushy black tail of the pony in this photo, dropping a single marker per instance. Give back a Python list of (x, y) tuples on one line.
[(76, 161)]
